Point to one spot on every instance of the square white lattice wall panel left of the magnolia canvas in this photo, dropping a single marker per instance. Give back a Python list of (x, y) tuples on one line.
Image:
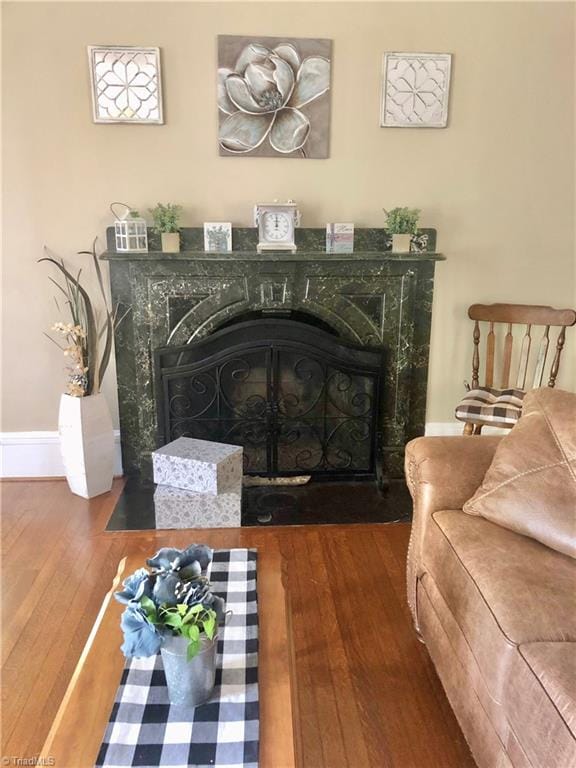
[(126, 84)]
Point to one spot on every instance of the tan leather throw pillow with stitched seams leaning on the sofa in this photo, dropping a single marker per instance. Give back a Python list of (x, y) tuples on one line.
[(530, 487)]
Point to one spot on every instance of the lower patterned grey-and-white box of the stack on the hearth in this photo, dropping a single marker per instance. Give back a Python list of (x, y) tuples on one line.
[(178, 508)]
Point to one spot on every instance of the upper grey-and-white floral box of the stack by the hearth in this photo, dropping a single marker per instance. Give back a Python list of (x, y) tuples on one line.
[(198, 465)]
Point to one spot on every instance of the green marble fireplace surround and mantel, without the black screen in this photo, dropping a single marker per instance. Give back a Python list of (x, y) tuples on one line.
[(372, 296)]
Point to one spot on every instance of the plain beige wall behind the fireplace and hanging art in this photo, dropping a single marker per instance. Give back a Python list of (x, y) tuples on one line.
[(498, 183)]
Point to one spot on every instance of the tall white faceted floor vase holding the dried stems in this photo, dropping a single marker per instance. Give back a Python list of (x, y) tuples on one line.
[(86, 444)]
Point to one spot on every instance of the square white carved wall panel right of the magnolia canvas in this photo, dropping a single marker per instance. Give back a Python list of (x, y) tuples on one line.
[(415, 90)]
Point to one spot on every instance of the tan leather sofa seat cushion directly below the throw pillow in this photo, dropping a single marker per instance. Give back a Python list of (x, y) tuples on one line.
[(502, 588)]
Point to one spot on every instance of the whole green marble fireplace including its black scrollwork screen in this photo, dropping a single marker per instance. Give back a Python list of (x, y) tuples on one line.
[(337, 313)]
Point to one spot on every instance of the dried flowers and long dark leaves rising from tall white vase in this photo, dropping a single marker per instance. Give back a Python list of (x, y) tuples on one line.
[(82, 338)]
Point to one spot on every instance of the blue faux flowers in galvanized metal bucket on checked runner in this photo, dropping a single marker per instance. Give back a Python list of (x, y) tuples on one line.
[(171, 608)]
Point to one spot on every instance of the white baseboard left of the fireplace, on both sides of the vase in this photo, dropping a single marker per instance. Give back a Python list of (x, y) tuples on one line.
[(37, 454)]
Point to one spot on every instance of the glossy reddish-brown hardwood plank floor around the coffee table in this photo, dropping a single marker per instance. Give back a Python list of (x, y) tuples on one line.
[(367, 695)]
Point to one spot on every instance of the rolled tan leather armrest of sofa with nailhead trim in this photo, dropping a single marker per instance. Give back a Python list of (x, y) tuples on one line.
[(442, 473)]
